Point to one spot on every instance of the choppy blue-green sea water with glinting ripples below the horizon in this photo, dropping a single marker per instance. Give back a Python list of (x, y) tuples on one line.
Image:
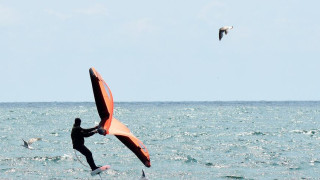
[(186, 140)]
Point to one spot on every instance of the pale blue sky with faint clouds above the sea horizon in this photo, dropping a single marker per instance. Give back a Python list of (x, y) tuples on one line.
[(160, 50)]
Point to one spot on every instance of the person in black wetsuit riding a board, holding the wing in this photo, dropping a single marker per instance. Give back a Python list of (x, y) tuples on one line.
[(77, 136)]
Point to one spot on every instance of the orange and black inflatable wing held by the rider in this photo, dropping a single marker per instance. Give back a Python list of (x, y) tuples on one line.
[(110, 125)]
